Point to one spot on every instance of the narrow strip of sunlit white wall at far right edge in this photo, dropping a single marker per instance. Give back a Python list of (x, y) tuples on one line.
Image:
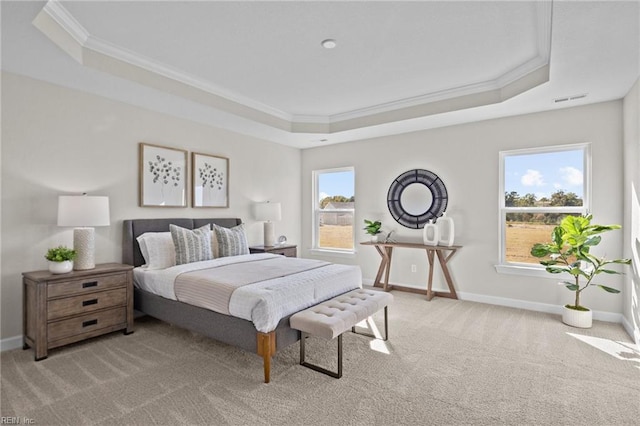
[(631, 309)]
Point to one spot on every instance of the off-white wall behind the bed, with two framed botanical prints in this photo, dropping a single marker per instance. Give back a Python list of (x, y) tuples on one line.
[(59, 141)]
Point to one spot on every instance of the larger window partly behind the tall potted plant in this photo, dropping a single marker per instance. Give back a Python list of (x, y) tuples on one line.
[(538, 187)]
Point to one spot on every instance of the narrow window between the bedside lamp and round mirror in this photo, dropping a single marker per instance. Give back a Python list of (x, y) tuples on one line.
[(333, 209)]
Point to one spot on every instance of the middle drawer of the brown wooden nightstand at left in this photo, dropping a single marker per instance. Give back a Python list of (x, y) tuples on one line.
[(85, 303)]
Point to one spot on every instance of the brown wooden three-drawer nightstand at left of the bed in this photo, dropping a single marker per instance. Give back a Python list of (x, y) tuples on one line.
[(66, 308)]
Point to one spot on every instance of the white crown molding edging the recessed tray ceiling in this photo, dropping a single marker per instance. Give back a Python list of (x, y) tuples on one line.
[(65, 31)]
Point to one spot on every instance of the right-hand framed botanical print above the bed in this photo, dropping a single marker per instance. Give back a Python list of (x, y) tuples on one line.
[(210, 180)]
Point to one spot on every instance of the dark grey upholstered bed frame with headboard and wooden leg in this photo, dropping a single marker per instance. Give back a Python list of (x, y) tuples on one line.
[(236, 331)]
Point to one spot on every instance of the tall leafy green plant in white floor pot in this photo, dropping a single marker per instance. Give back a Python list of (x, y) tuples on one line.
[(570, 252)]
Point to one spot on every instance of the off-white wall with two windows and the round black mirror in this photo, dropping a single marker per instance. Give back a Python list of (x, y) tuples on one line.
[(466, 158)]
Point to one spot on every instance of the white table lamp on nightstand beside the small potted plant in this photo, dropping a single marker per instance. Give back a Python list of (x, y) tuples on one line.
[(83, 212)]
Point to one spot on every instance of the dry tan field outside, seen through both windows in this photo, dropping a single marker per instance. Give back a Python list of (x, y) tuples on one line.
[(520, 238)]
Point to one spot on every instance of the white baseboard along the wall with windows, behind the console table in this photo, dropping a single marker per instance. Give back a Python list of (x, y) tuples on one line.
[(523, 304)]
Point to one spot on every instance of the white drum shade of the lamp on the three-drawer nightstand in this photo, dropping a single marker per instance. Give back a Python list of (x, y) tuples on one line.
[(83, 210)]
